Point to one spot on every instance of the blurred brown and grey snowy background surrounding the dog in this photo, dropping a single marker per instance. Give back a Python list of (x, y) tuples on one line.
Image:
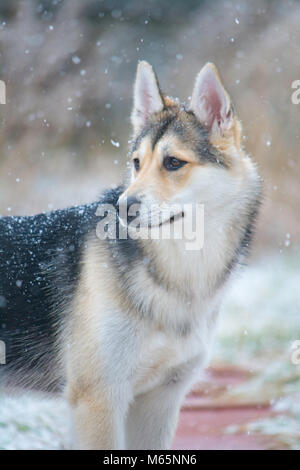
[(69, 67)]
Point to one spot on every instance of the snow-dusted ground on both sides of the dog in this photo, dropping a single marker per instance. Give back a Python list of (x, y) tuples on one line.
[(259, 322)]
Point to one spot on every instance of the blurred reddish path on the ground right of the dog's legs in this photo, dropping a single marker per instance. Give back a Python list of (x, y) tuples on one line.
[(204, 417)]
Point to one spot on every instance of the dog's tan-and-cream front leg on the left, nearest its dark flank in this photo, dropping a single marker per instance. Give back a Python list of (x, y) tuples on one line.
[(99, 389)]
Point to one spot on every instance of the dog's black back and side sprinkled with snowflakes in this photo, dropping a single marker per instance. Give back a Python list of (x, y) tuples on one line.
[(39, 265)]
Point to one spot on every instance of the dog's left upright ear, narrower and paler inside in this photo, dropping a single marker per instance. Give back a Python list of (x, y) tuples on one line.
[(147, 97)]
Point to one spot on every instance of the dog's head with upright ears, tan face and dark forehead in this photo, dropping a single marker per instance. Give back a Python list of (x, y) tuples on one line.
[(183, 155)]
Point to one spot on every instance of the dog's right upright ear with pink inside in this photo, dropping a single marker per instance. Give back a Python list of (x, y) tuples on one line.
[(211, 103)]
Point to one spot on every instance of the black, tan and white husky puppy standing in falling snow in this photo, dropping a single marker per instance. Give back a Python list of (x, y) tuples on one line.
[(121, 326)]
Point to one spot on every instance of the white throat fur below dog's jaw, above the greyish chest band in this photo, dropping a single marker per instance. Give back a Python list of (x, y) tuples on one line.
[(202, 270)]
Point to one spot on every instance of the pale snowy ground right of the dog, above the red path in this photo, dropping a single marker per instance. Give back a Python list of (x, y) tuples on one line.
[(261, 314)]
